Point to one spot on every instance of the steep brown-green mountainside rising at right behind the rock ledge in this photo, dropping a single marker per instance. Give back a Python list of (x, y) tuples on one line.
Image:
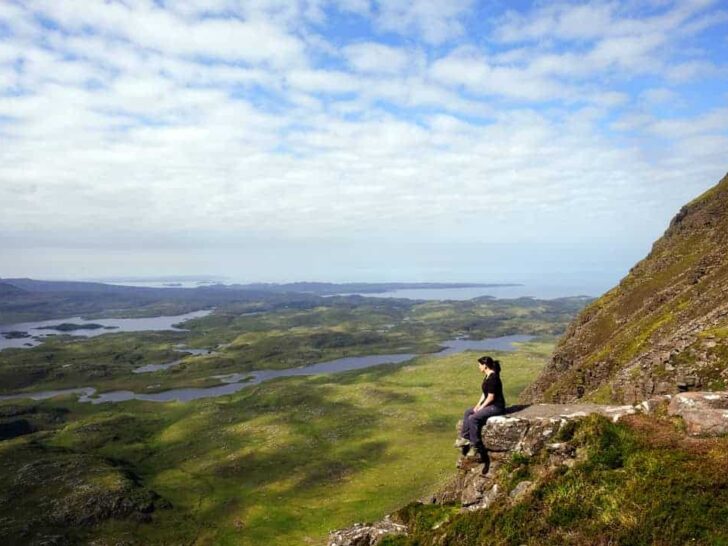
[(664, 328)]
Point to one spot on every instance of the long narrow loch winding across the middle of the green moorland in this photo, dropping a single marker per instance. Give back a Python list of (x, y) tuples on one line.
[(235, 382)]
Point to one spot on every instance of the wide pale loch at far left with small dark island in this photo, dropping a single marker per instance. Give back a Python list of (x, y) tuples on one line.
[(39, 330)]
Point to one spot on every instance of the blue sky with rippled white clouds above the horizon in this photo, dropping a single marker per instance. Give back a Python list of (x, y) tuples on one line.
[(354, 140)]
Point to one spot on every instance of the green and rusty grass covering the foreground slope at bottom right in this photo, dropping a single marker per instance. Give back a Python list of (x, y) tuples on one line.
[(641, 481)]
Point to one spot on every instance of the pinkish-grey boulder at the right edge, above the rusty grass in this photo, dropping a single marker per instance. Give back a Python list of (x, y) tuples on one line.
[(704, 413)]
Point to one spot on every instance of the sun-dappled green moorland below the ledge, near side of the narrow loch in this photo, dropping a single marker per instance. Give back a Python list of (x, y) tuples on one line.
[(278, 463)]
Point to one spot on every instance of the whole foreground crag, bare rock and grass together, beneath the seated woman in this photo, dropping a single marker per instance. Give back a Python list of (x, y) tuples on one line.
[(579, 474)]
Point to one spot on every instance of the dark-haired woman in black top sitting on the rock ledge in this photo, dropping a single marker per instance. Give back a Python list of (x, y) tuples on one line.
[(492, 402)]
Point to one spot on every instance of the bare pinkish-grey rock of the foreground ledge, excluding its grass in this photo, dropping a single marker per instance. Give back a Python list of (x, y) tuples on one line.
[(542, 431)]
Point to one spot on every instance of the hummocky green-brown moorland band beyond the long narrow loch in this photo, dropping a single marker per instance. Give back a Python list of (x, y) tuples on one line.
[(288, 336)]
